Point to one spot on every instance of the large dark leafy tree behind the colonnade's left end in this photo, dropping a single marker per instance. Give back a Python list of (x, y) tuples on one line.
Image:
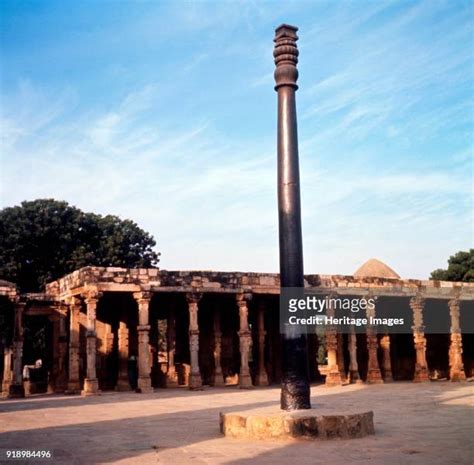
[(44, 239)]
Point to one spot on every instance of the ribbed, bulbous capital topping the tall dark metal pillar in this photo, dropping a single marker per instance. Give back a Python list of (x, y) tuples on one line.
[(286, 56)]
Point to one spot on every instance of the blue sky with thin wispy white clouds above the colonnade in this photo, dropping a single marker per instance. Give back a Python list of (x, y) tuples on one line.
[(165, 113)]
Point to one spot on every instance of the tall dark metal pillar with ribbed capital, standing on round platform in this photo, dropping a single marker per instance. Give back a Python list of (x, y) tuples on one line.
[(295, 389)]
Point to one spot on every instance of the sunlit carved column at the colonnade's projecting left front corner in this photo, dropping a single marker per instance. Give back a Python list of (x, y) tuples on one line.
[(91, 384)]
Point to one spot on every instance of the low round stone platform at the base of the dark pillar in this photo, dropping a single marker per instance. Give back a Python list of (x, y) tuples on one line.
[(306, 424)]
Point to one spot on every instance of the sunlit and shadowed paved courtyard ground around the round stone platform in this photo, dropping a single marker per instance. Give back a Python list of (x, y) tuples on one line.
[(415, 424)]
